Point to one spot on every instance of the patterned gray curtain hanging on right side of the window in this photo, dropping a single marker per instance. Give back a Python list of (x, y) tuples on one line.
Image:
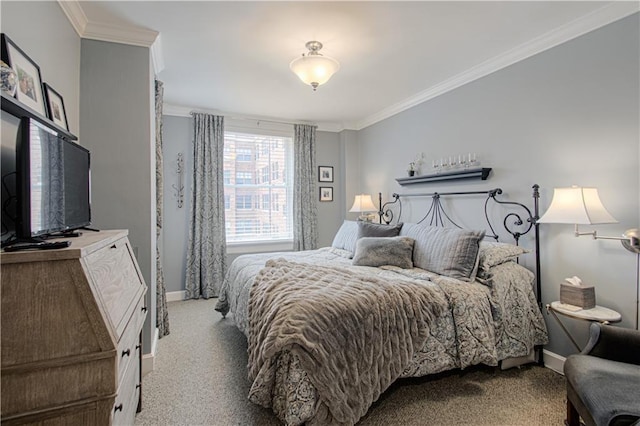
[(305, 222)]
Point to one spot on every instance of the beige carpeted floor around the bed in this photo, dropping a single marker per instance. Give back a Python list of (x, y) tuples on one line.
[(200, 379)]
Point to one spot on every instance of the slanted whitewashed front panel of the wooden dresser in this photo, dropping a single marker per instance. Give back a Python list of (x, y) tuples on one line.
[(117, 282)]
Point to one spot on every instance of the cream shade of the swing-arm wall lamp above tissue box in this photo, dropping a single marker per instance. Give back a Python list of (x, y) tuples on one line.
[(577, 205)]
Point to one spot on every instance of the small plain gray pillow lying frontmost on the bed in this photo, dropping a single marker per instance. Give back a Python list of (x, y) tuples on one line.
[(379, 251)]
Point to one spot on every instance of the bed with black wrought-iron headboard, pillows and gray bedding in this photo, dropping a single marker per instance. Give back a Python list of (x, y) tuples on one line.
[(330, 329)]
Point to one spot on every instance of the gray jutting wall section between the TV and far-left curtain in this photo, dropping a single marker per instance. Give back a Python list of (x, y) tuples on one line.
[(117, 103)]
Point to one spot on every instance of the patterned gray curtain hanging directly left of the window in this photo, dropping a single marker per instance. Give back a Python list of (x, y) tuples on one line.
[(207, 250)]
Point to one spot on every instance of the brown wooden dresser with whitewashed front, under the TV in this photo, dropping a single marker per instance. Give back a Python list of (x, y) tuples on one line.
[(71, 333)]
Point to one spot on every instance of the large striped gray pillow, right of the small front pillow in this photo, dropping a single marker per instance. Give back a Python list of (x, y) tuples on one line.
[(446, 251)]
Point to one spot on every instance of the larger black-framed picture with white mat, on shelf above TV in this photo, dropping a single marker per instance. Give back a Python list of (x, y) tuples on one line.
[(29, 91)]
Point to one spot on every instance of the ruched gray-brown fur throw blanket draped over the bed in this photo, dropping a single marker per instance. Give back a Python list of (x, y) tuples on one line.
[(353, 333)]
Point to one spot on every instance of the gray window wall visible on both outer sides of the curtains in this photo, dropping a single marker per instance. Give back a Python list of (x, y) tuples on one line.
[(178, 137)]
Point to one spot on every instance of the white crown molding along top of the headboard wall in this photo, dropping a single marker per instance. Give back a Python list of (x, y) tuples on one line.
[(590, 22)]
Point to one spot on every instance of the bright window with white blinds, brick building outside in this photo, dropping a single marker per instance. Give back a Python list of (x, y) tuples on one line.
[(262, 190)]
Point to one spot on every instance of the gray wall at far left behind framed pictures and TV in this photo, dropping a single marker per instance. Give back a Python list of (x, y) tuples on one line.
[(43, 32)]
